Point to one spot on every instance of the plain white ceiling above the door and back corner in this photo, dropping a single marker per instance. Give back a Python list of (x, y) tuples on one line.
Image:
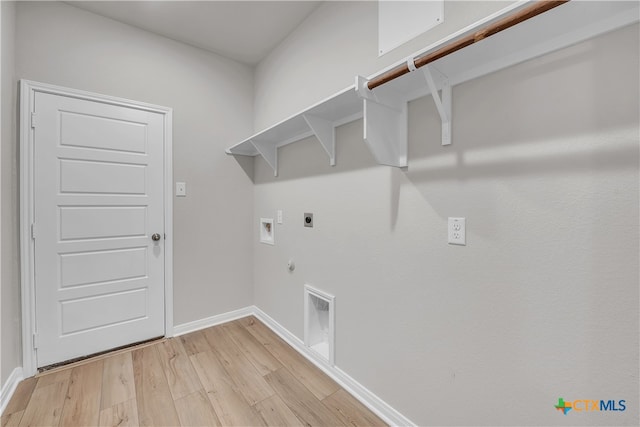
[(245, 31)]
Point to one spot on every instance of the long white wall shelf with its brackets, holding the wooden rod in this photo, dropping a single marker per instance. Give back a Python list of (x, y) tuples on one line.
[(385, 107)]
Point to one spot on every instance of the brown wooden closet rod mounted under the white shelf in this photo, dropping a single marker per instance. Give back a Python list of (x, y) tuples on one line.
[(535, 9)]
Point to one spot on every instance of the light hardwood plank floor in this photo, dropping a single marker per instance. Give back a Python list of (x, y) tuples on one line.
[(236, 374)]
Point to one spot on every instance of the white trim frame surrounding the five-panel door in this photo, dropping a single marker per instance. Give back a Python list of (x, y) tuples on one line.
[(28, 89)]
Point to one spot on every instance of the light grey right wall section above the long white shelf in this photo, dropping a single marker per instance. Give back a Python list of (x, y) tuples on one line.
[(334, 44)]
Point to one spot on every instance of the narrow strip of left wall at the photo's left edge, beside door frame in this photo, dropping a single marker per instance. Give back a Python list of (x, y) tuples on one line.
[(10, 355)]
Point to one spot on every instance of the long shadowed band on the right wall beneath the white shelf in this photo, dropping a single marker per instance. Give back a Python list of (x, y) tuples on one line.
[(529, 119)]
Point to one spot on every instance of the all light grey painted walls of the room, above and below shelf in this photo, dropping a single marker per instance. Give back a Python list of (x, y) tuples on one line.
[(541, 303)]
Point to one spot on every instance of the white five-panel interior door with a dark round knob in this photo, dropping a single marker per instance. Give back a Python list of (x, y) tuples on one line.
[(98, 189)]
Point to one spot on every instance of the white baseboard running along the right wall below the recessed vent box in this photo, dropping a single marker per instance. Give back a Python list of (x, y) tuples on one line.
[(357, 390)]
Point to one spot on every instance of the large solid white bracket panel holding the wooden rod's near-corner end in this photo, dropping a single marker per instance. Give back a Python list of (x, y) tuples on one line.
[(385, 124)]
